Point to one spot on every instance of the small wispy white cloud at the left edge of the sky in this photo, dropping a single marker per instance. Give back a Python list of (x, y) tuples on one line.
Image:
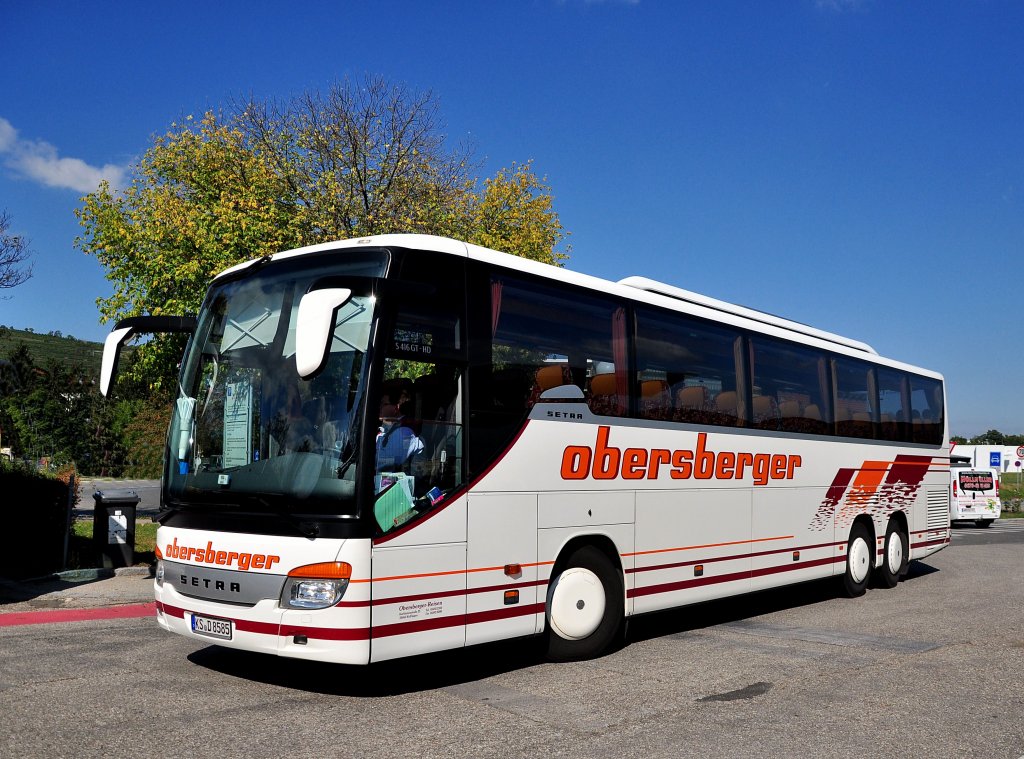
[(39, 161)]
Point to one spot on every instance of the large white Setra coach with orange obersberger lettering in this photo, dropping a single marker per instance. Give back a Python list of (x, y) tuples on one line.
[(406, 444)]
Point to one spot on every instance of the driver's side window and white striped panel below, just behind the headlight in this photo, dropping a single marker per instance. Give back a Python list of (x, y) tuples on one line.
[(419, 560)]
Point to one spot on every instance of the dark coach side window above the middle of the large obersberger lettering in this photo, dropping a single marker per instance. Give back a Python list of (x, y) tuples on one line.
[(688, 370)]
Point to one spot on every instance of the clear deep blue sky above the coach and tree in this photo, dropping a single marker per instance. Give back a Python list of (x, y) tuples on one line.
[(858, 165)]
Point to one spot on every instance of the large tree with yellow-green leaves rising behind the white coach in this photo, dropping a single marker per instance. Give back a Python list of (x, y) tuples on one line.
[(262, 178)]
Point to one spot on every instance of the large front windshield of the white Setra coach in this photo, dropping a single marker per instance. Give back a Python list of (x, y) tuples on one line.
[(246, 432)]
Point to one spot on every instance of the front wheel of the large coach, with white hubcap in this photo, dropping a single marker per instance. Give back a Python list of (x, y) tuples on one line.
[(585, 607)]
